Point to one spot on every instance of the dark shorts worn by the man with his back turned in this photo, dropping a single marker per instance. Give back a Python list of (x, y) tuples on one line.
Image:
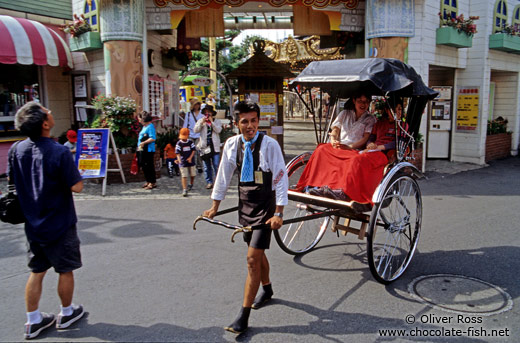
[(62, 254)]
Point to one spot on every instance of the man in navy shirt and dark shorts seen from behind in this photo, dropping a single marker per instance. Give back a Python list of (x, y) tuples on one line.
[(45, 176)]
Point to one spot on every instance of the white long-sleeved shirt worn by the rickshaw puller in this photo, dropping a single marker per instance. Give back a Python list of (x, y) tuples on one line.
[(271, 160)]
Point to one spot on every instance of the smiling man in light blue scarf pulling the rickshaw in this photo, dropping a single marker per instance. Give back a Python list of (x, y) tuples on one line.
[(262, 196)]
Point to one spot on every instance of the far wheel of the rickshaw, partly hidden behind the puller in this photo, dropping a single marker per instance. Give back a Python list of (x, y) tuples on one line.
[(300, 237)]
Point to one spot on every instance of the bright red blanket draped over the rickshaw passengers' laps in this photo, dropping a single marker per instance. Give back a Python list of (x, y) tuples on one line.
[(358, 175)]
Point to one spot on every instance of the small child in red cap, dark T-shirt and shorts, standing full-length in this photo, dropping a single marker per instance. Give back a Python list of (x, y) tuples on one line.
[(185, 150)]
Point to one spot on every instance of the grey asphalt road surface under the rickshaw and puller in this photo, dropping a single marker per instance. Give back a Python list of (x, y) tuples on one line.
[(148, 276)]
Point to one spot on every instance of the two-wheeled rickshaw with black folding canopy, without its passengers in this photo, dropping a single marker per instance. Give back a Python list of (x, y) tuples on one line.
[(391, 223)]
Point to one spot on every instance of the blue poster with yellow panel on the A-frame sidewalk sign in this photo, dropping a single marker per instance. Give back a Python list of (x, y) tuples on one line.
[(92, 152)]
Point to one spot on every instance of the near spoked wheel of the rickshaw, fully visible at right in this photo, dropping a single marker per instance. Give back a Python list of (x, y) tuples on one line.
[(395, 225)]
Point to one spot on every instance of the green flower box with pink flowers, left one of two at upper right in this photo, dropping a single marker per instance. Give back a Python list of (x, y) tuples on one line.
[(456, 31)]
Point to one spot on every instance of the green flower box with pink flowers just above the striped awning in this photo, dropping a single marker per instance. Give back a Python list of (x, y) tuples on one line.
[(82, 36)]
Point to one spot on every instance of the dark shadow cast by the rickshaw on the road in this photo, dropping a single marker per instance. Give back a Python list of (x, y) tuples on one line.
[(491, 264)]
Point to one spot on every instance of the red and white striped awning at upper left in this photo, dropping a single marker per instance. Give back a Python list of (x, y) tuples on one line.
[(30, 42)]
